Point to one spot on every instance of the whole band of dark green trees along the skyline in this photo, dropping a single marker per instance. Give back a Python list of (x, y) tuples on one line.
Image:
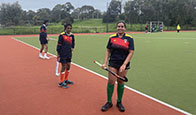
[(171, 12)]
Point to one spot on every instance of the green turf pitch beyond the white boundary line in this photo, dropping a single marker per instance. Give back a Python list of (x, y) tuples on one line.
[(163, 65)]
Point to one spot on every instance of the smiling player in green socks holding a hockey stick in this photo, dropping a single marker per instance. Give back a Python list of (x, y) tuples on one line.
[(119, 51)]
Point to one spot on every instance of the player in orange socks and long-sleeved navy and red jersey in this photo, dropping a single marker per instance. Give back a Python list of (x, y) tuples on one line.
[(65, 47)]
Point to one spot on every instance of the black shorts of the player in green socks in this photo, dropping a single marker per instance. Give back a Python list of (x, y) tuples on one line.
[(117, 64)]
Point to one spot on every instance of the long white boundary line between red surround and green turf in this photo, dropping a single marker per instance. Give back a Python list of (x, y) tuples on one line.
[(152, 98)]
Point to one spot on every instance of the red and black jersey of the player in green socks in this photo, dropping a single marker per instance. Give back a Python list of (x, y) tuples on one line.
[(119, 47)]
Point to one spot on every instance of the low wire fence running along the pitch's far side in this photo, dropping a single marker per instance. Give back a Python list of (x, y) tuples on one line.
[(78, 29)]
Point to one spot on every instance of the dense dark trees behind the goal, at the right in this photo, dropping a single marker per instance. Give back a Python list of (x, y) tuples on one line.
[(171, 12)]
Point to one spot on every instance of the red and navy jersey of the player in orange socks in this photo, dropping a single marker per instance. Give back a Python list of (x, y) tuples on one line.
[(65, 43)]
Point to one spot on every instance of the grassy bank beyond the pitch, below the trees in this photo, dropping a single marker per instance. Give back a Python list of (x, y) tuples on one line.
[(79, 26)]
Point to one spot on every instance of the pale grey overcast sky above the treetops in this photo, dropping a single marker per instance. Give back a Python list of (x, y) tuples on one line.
[(37, 4)]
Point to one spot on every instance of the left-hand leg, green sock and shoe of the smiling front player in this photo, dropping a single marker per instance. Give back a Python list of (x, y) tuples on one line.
[(110, 89)]
